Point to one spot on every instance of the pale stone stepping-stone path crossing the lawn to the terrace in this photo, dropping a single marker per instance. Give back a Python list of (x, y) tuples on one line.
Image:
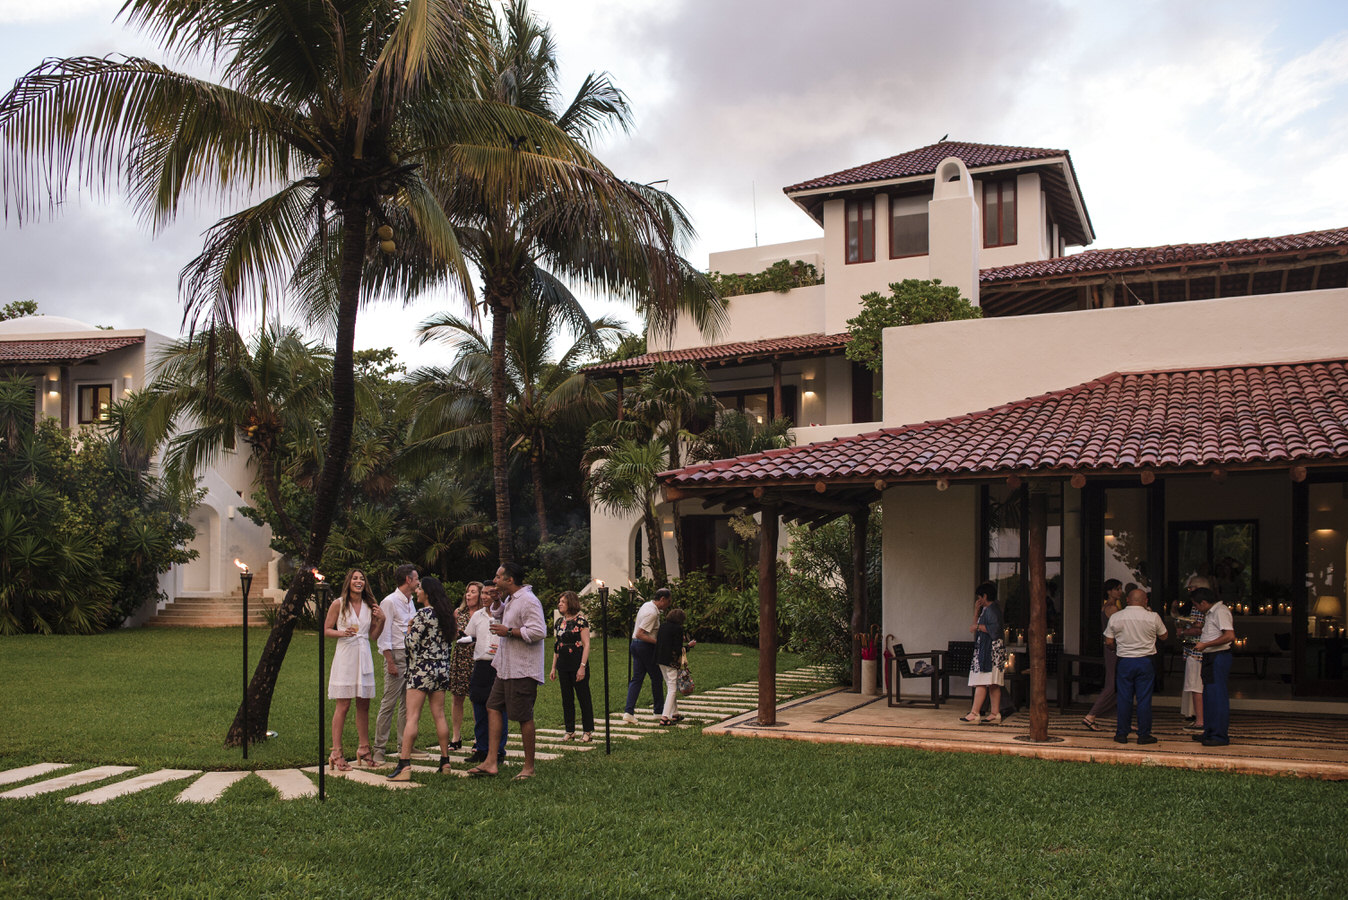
[(293, 783)]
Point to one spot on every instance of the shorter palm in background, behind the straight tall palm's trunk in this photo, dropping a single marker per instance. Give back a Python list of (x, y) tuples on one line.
[(543, 397)]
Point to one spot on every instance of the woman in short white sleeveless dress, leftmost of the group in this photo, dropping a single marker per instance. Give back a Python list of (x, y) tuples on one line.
[(355, 620)]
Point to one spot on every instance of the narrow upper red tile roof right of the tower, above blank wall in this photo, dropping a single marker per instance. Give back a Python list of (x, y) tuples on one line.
[(1129, 258)]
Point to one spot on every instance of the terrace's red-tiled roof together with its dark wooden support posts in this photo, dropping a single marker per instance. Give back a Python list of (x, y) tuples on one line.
[(1203, 425)]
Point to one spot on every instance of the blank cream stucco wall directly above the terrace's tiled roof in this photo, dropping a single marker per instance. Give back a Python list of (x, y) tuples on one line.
[(951, 368)]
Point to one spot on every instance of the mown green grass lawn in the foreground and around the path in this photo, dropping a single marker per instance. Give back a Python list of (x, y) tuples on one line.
[(677, 816)]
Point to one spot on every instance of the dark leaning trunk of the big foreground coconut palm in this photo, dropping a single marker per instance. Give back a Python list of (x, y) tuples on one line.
[(264, 685)]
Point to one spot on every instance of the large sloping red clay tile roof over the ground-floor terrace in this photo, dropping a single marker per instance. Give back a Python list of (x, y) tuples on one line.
[(1173, 420)]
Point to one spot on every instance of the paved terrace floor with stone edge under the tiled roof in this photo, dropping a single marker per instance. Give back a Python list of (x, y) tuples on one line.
[(1262, 743)]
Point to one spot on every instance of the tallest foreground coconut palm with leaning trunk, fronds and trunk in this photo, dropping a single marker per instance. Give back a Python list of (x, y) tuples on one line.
[(358, 114)]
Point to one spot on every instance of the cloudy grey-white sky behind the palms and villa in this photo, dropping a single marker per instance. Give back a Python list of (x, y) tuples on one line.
[(1187, 121)]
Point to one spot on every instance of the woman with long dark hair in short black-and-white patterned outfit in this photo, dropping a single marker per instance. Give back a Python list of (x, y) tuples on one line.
[(431, 635)]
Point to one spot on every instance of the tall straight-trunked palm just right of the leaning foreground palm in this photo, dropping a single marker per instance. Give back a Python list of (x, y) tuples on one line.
[(618, 238)]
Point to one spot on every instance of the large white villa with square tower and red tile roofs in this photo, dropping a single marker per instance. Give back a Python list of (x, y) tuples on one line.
[(1184, 408)]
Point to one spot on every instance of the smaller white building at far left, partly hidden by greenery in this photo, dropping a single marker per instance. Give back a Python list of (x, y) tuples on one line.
[(78, 373)]
